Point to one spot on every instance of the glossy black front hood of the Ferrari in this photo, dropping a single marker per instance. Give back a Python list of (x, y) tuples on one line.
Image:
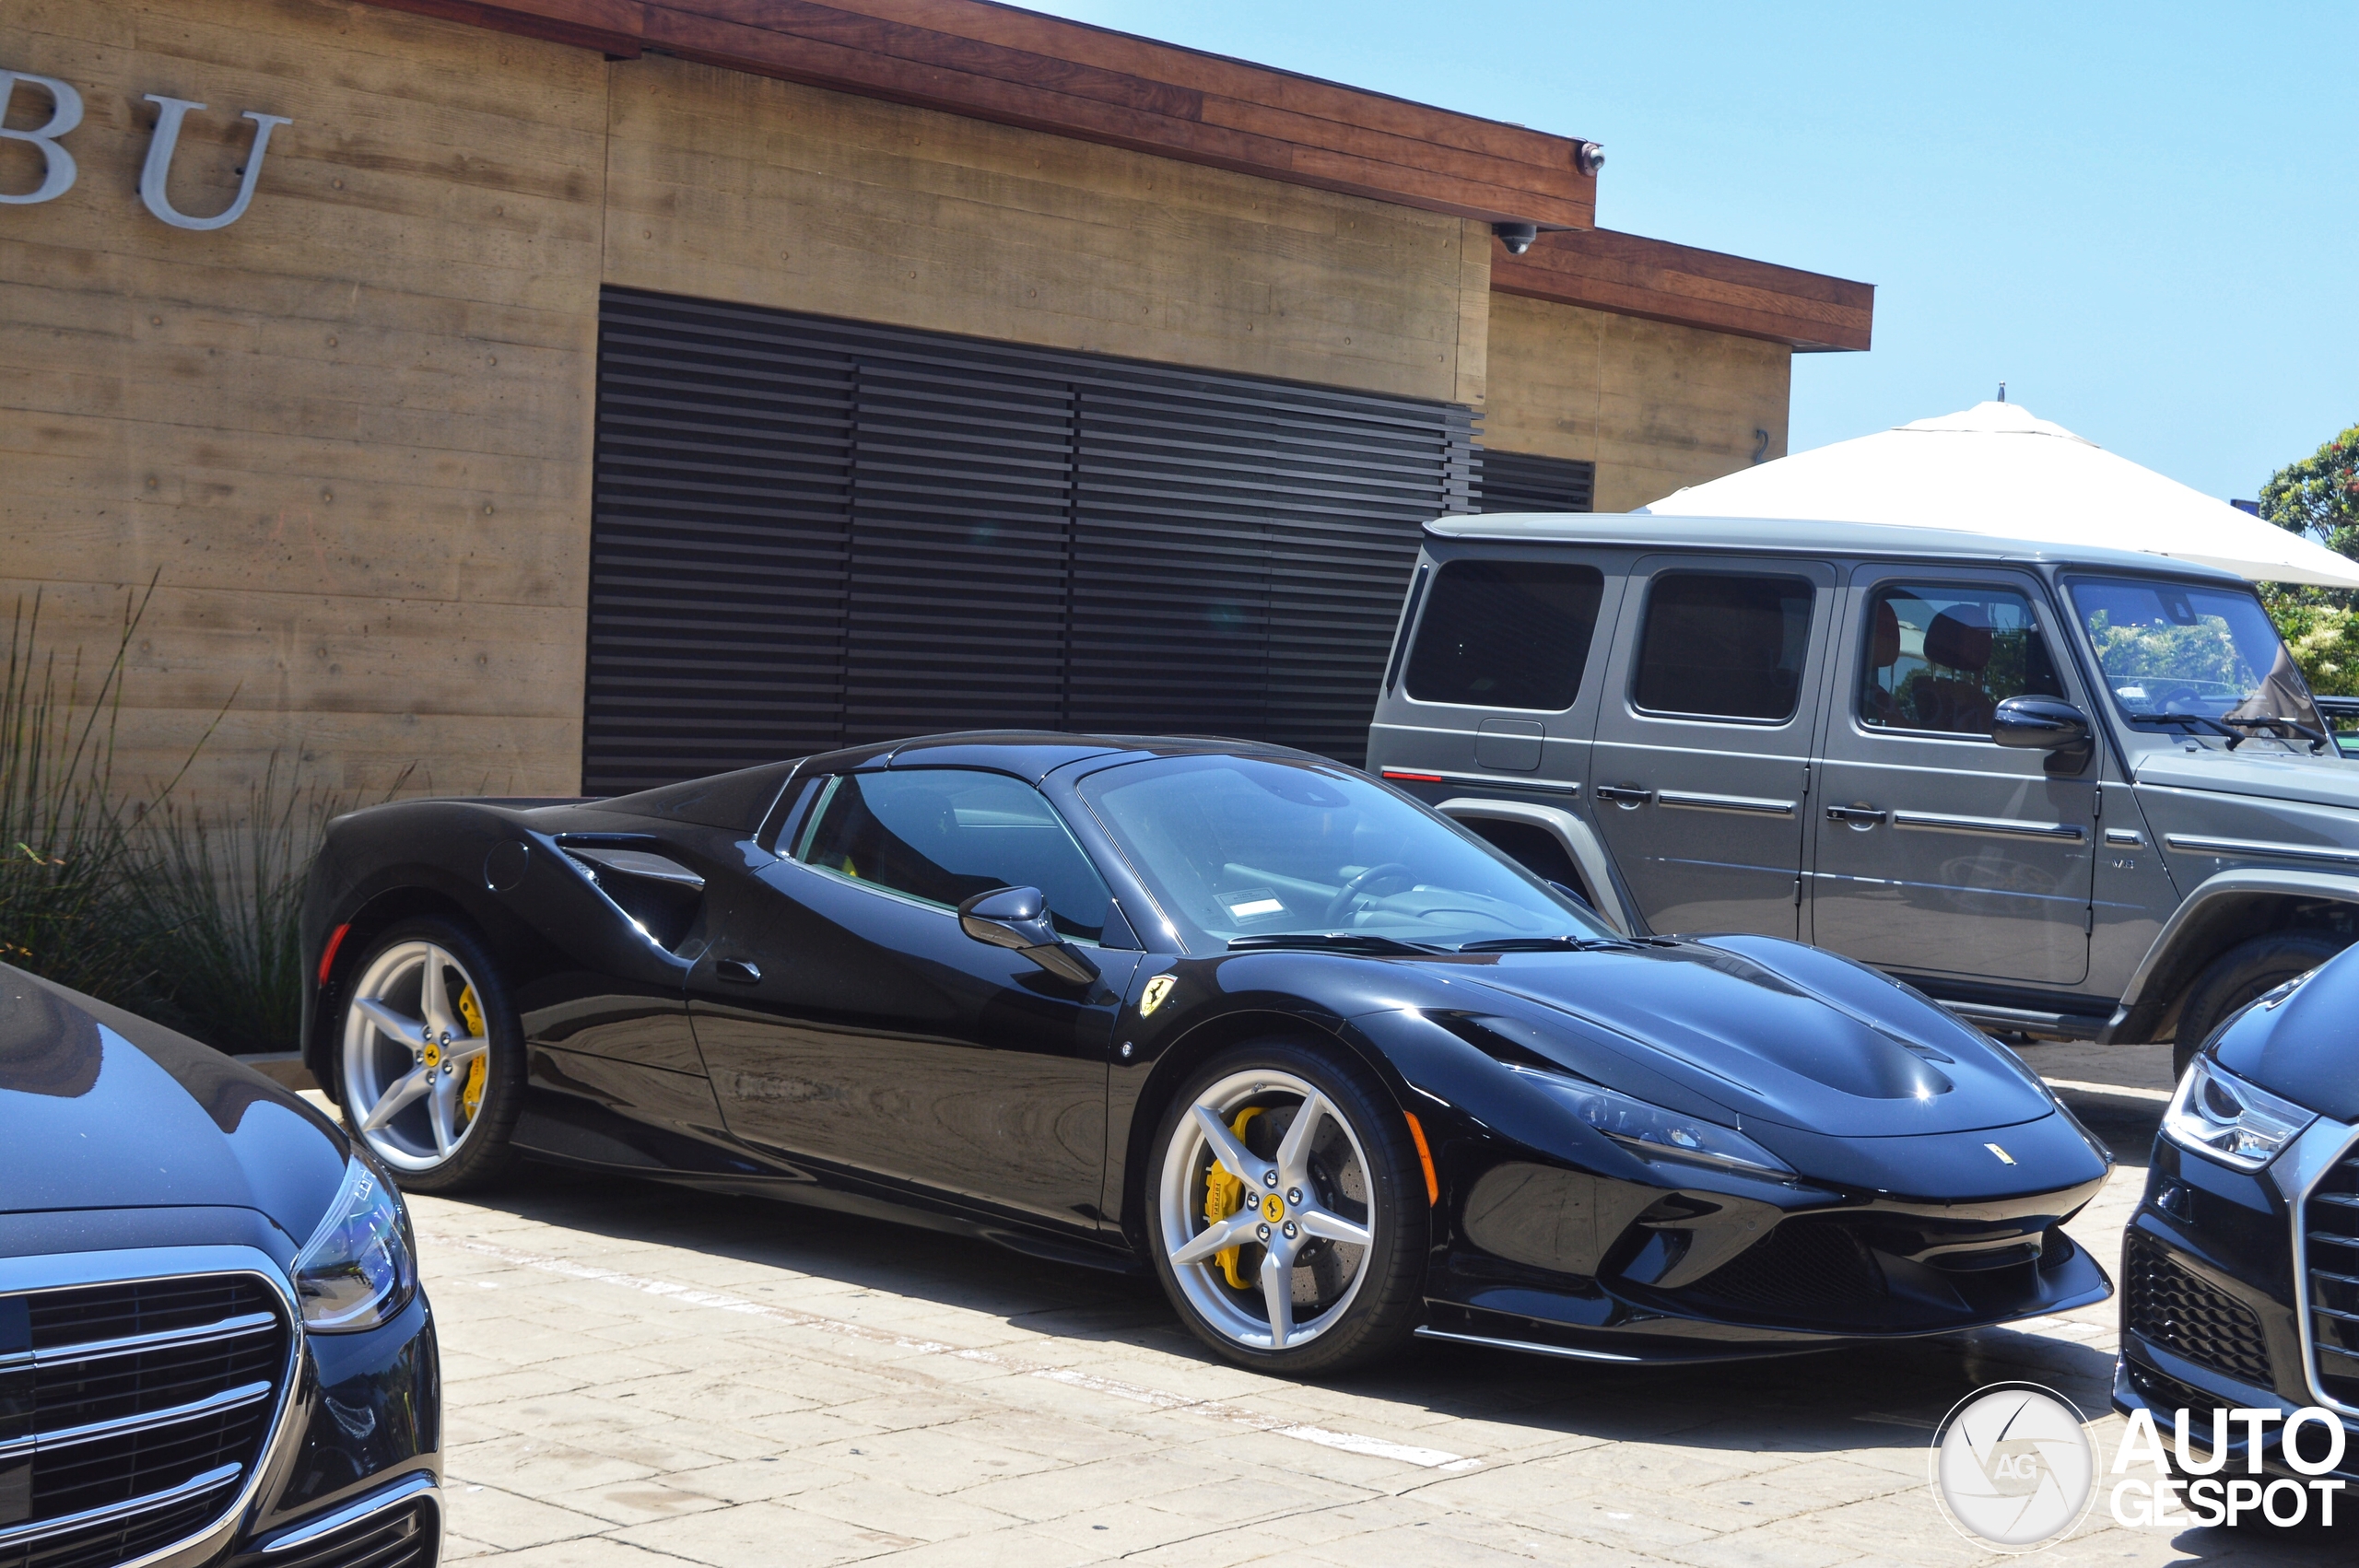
[(1782, 1034)]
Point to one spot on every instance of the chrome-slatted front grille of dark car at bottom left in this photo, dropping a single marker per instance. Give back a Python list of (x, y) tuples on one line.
[(133, 1414)]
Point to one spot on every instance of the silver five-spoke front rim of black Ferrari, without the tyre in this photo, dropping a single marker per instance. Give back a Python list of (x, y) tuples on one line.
[(1268, 1211)]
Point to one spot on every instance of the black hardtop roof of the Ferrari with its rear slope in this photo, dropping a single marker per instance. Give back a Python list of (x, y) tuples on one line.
[(744, 796)]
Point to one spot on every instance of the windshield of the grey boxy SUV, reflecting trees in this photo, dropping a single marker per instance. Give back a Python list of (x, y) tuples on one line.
[(2195, 659)]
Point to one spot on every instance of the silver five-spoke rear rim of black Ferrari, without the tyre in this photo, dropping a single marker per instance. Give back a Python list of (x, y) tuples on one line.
[(416, 1055)]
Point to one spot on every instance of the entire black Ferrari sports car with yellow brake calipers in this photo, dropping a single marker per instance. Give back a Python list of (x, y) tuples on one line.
[(1322, 1060)]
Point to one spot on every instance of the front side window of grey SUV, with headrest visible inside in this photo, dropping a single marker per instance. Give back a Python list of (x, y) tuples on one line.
[(1943, 657)]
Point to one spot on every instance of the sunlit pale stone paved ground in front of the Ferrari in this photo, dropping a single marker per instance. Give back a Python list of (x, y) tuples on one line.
[(640, 1373)]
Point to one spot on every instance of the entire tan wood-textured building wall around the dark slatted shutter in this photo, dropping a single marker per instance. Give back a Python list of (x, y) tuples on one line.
[(350, 435)]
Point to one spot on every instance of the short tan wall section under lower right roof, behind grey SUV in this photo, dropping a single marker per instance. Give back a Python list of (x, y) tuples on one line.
[(1655, 407)]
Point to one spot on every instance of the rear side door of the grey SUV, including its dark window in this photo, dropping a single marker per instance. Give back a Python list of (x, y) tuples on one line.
[(1704, 739)]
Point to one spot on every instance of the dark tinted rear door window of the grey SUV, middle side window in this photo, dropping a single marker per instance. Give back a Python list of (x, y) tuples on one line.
[(1723, 647)]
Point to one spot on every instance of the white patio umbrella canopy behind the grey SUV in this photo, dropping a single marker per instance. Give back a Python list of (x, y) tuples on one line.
[(1999, 470)]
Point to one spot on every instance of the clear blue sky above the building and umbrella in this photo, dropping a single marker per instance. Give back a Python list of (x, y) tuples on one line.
[(2146, 220)]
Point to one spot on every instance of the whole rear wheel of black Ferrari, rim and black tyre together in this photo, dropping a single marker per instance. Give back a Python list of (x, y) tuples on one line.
[(431, 1065)]
